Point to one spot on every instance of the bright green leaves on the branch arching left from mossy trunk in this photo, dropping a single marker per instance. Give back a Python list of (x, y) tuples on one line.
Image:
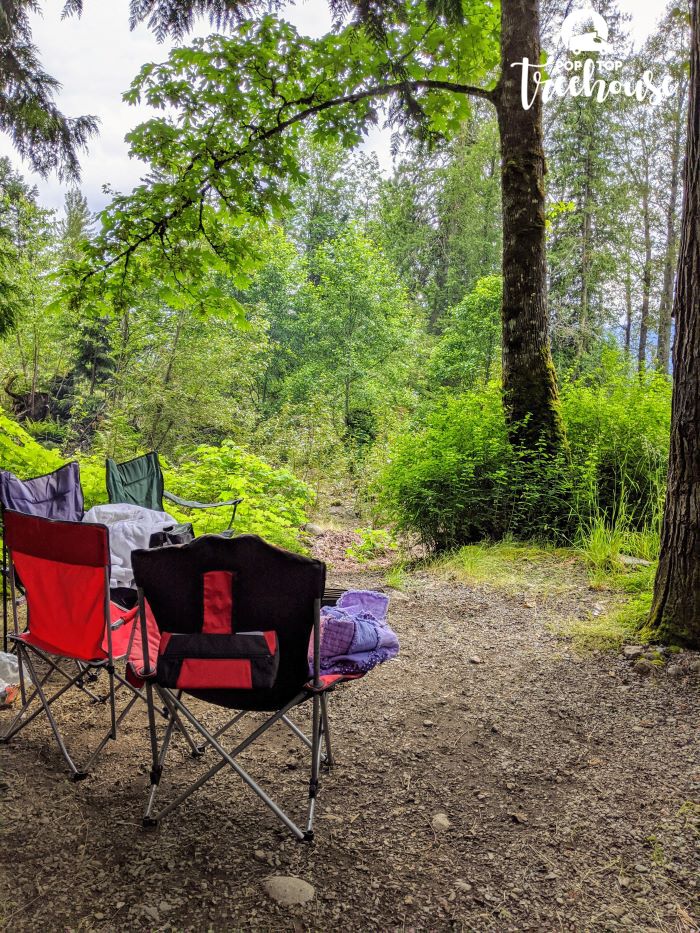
[(225, 151)]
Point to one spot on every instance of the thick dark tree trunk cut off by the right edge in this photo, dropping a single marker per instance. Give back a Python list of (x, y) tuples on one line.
[(675, 611)]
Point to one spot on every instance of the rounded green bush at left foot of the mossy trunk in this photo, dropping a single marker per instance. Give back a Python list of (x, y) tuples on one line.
[(456, 479)]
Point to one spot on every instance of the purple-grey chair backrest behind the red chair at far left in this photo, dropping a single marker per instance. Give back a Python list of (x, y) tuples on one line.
[(56, 495)]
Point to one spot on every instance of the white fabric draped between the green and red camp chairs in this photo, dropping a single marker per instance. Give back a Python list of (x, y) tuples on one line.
[(130, 528)]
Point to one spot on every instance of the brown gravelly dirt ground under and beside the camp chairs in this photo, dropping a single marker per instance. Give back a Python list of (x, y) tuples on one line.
[(571, 785)]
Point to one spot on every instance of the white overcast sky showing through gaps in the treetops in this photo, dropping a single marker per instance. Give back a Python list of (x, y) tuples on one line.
[(96, 57)]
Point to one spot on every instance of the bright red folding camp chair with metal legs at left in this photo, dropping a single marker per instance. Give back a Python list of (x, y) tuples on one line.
[(65, 570)]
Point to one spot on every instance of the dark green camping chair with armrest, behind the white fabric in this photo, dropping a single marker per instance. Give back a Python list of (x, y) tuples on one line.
[(140, 482)]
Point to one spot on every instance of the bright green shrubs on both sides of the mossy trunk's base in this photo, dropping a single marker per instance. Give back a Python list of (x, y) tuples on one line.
[(453, 477)]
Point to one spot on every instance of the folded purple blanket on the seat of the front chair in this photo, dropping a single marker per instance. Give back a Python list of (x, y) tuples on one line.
[(354, 634)]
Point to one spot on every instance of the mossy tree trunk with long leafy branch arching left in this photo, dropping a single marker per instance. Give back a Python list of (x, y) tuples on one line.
[(529, 383)]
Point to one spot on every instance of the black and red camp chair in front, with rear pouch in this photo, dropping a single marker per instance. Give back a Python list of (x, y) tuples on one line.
[(232, 619)]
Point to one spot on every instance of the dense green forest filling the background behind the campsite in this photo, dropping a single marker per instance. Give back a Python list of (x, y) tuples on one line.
[(337, 334)]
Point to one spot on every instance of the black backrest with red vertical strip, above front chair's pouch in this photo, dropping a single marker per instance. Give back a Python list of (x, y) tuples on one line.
[(242, 584)]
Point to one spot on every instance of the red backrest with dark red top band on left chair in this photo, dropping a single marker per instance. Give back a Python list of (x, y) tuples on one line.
[(64, 568)]
